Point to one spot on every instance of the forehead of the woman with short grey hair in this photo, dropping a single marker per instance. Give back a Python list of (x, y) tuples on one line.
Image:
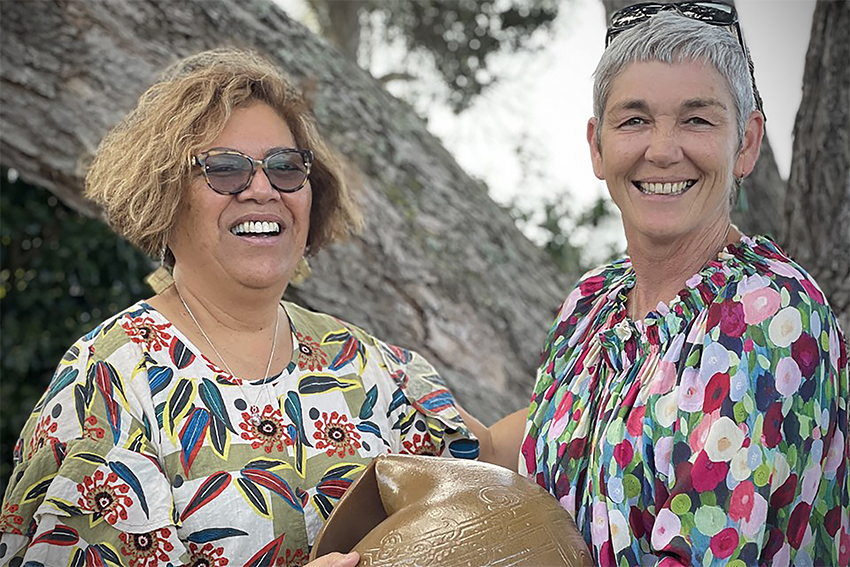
[(662, 85)]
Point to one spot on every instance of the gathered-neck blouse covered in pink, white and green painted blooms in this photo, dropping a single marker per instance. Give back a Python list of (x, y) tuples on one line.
[(714, 432)]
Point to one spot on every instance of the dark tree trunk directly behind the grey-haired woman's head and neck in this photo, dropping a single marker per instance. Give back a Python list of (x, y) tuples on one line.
[(763, 192)]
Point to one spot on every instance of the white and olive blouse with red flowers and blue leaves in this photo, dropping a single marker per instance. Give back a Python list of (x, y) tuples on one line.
[(143, 453)]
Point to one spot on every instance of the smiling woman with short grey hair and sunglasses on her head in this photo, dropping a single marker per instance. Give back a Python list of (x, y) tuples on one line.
[(691, 401)]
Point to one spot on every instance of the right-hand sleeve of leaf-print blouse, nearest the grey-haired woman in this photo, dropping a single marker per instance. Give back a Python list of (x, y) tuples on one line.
[(423, 411)]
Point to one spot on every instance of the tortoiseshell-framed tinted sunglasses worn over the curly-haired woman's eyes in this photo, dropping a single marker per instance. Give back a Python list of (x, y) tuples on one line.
[(230, 172)]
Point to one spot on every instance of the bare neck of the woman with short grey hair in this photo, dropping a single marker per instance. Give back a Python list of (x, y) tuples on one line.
[(662, 267)]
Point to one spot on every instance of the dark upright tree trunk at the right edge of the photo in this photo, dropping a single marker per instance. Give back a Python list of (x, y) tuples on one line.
[(817, 210)]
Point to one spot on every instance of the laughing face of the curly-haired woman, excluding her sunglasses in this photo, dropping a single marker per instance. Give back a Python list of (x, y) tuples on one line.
[(255, 237)]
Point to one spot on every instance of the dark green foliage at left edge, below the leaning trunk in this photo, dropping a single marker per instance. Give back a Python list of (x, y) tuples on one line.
[(60, 275)]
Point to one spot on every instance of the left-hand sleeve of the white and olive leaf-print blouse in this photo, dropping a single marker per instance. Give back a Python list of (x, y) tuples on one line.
[(87, 482)]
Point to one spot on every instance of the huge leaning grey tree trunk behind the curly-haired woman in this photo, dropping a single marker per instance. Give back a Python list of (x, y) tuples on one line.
[(439, 267)]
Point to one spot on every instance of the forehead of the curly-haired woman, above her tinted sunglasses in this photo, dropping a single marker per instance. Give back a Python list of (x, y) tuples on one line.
[(254, 128)]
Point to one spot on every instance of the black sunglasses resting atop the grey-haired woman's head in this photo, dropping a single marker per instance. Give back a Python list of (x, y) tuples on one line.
[(714, 13)]
